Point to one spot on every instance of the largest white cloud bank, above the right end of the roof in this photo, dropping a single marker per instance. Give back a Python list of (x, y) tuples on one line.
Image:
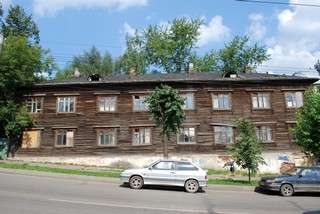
[(296, 45)]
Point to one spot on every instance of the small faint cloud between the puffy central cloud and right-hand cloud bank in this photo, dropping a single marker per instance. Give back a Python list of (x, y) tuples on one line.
[(257, 30)]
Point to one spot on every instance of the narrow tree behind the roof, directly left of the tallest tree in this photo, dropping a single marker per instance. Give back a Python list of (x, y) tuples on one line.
[(134, 56)]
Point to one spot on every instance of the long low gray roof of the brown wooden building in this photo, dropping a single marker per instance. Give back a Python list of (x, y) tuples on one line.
[(179, 77)]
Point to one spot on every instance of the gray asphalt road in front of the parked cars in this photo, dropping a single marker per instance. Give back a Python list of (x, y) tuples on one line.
[(46, 193)]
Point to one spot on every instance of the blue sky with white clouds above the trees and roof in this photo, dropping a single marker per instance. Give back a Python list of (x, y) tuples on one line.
[(290, 33)]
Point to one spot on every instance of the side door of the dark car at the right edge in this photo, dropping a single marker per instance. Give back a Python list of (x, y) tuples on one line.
[(308, 180)]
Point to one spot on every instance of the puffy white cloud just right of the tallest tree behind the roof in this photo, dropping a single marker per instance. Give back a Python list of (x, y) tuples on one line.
[(214, 31)]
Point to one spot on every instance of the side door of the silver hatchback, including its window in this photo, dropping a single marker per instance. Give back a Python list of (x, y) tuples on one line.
[(162, 173)]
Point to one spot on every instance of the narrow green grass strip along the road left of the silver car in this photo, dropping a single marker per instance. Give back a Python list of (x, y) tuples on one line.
[(60, 170)]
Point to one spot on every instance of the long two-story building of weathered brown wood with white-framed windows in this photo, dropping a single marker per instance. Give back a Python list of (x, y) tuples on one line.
[(107, 116)]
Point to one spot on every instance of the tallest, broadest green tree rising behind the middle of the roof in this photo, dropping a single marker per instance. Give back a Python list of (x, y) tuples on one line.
[(170, 47)]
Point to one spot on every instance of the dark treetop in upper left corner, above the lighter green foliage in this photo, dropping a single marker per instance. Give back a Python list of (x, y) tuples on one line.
[(19, 24)]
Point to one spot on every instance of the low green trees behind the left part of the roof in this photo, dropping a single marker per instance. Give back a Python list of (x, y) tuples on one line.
[(91, 62)]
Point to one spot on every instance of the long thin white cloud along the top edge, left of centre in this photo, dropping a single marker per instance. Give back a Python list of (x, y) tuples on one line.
[(51, 7)]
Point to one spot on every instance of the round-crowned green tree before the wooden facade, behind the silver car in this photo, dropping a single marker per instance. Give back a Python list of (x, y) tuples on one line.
[(165, 106)]
